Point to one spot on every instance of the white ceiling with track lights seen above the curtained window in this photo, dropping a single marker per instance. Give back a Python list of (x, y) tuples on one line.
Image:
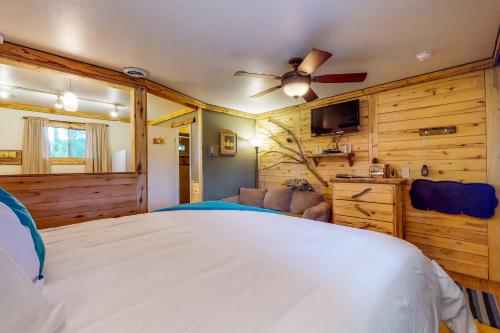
[(44, 81)]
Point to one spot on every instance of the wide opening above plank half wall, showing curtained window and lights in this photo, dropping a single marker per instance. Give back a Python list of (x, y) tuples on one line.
[(53, 123)]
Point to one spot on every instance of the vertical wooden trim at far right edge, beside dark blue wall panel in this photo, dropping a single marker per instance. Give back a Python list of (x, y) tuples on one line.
[(492, 85)]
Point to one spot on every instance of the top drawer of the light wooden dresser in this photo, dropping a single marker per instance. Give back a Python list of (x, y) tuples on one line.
[(376, 193)]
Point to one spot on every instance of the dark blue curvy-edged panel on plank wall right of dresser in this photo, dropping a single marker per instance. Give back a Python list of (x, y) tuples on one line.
[(472, 199)]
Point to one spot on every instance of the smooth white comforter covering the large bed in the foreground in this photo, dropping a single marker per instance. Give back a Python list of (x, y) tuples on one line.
[(232, 271)]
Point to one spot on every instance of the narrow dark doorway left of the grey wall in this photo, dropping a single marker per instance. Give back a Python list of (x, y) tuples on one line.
[(184, 164)]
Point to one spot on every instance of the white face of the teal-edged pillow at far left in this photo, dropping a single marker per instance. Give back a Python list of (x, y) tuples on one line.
[(16, 239)]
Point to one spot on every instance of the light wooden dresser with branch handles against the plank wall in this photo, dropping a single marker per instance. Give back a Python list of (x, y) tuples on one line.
[(370, 203)]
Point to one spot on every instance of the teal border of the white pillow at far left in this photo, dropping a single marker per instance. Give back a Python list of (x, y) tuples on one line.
[(24, 216)]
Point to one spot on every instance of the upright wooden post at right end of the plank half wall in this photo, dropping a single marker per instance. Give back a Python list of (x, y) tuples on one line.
[(140, 143)]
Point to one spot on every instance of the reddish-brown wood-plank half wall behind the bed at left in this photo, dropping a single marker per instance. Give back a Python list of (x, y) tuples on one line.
[(56, 200)]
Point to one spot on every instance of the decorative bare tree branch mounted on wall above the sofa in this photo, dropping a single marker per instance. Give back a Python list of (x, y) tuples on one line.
[(301, 157)]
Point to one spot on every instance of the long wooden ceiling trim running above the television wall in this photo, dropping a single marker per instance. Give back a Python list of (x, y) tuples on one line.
[(462, 69)]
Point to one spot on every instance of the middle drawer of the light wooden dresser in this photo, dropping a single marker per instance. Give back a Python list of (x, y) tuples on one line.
[(366, 210)]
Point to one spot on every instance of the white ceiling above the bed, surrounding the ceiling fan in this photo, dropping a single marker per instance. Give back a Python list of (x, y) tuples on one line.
[(195, 46)]
